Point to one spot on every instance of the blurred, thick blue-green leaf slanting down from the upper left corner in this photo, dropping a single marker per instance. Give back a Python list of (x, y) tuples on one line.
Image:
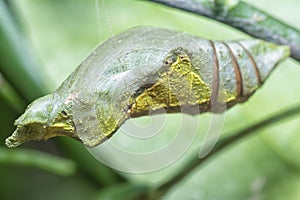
[(17, 64)]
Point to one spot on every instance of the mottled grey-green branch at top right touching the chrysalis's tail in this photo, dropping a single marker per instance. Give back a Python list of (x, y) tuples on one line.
[(244, 17)]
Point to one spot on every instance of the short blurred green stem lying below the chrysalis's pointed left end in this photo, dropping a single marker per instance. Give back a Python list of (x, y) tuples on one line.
[(40, 160)]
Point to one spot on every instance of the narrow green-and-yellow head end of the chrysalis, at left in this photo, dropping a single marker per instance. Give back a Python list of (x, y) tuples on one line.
[(43, 119)]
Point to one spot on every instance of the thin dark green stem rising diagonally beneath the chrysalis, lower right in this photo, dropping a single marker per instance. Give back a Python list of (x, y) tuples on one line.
[(195, 161)]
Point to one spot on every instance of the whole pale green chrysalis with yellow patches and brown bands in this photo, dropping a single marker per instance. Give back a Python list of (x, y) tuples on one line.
[(147, 69)]
